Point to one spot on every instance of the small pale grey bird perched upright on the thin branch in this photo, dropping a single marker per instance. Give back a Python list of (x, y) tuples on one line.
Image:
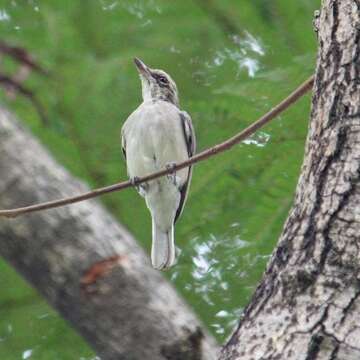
[(155, 136)]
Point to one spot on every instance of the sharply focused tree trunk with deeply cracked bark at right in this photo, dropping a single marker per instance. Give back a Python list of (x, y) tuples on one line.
[(308, 303)]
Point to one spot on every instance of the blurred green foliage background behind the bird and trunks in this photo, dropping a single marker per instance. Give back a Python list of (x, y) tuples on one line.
[(232, 61)]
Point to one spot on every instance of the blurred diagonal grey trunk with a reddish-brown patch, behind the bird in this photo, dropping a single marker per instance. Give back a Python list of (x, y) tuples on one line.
[(130, 311)]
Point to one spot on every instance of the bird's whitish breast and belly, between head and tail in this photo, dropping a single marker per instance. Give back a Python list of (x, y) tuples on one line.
[(154, 138)]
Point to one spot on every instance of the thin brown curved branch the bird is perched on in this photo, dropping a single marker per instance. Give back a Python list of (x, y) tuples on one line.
[(219, 148)]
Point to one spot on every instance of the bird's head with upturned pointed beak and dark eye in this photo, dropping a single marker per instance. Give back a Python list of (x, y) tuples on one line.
[(157, 84)]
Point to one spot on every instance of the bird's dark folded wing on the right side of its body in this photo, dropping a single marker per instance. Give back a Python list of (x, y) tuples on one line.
[(190, 141)]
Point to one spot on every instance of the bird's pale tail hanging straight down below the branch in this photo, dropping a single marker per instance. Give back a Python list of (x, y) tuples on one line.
[(163, 247)]
